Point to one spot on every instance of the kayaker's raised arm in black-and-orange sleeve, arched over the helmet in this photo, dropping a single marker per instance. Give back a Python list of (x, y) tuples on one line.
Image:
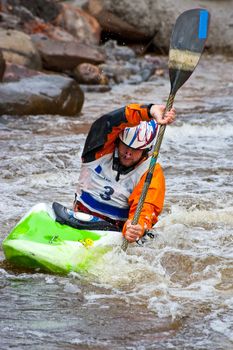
[(105, 130)]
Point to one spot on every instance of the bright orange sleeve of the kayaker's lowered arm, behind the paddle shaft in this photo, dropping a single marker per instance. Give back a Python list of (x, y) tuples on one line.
[(154, 200)]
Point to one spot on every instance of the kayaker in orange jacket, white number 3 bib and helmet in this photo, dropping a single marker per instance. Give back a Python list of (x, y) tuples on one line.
[(115, 161)]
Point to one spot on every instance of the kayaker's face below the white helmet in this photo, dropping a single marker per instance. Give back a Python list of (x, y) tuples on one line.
[(127, 155)]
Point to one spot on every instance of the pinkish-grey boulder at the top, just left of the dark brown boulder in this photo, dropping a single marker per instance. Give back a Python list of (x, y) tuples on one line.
[(79, 23)]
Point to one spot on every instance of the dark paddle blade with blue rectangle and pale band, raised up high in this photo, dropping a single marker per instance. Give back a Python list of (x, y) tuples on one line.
[(187, 43)]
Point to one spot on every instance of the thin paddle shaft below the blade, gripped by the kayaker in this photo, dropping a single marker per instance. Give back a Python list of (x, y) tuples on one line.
[(152, 164)]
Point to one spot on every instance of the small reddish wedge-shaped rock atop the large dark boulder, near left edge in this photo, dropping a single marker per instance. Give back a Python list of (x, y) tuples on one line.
[(15, 72)]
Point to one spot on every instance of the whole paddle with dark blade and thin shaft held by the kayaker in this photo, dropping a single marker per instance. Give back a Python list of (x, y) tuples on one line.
[(186, 46)]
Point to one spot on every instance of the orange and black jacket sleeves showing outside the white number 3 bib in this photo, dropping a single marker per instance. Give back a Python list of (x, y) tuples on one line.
[(101, 140)]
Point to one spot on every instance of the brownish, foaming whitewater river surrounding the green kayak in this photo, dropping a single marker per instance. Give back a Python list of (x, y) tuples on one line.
[(174, 293)]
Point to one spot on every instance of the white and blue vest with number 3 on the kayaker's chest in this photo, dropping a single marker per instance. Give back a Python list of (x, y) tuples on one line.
[(100, 192)]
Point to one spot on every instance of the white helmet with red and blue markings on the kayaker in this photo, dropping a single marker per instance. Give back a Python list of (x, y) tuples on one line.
[(141, 136)]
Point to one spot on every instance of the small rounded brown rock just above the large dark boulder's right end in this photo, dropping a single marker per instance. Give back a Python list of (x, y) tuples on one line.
[(86, 73)]
